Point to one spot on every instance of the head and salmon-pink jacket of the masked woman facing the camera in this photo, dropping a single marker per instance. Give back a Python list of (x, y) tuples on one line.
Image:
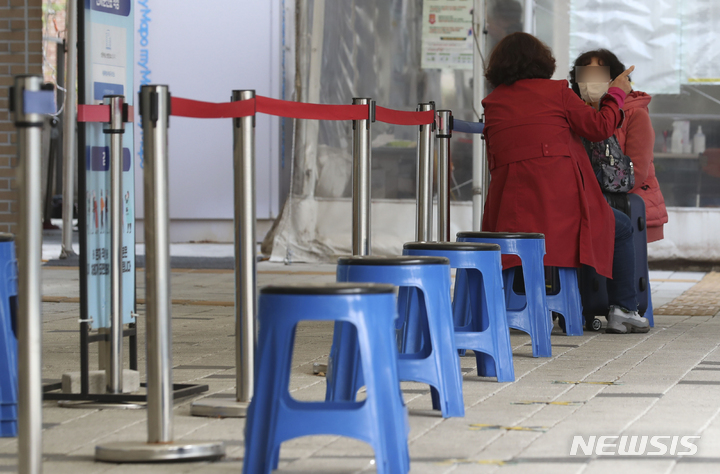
[(636, 136)]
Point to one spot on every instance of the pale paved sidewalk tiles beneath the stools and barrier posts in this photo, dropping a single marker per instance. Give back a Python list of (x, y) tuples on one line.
[(663, 383)]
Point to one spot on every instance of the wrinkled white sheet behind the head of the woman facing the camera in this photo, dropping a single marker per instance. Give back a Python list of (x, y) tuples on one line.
[(645, 33)]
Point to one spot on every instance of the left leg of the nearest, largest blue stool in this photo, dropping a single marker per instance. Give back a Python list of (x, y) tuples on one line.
[(272, 377)]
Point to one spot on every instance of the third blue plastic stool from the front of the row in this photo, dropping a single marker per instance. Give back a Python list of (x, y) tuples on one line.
[(479, 309)]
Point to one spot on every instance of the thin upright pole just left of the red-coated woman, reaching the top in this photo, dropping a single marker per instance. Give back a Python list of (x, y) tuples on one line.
[(479, 158)]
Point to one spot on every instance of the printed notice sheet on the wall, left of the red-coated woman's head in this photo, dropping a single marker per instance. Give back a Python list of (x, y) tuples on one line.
[(447, 39)]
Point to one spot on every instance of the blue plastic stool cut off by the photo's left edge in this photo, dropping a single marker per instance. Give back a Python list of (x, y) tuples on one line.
[(8, 340)]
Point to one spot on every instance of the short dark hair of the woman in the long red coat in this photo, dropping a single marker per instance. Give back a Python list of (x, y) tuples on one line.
[(519, 56)]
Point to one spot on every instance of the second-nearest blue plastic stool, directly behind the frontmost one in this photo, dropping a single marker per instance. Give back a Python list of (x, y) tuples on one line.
[(428, 352)]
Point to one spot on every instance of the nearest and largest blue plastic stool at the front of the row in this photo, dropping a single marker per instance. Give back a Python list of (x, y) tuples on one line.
[(274, 416)]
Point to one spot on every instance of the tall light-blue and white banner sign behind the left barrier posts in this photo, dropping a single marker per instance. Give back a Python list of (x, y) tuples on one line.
[(108, 70)]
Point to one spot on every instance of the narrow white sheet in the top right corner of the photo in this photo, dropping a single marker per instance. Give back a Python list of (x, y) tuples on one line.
[(701, 41)]
